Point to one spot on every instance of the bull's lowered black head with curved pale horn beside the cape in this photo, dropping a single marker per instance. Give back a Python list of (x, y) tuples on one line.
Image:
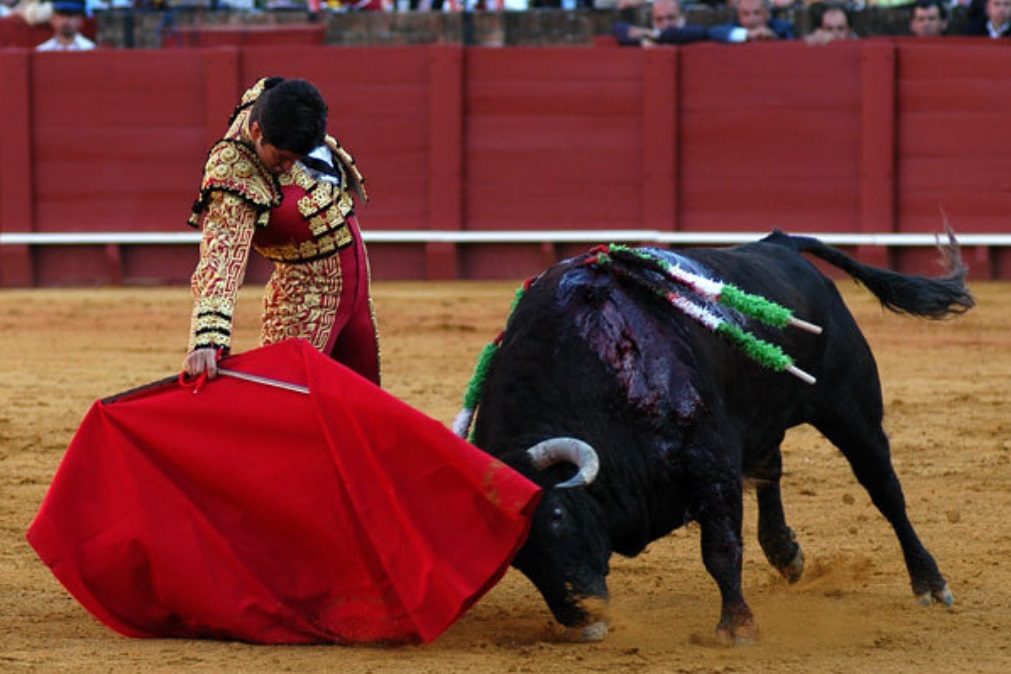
[(569, 548)]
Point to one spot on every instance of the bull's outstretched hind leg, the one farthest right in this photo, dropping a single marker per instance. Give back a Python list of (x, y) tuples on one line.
[(867, 449)]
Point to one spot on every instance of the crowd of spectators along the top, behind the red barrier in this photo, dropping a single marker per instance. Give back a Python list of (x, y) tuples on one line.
[(665, 22)]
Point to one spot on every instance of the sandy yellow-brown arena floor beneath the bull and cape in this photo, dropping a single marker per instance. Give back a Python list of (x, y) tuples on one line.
[(949, 414)]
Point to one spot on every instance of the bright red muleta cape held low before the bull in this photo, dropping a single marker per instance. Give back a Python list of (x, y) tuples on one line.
[(267, 516)]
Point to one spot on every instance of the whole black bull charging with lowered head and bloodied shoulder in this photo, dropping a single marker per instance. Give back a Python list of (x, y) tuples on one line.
[(680, 418)]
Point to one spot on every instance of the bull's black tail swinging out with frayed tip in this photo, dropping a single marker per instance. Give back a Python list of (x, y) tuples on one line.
[(903, 294)]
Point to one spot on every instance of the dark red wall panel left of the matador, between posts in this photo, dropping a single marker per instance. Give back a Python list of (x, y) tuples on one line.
[(117, 143)]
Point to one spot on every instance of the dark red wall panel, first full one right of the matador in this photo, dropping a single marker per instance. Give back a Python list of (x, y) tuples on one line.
[(554, 139)]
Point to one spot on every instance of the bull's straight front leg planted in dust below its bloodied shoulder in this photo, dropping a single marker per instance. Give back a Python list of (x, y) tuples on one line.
[(718, 510)]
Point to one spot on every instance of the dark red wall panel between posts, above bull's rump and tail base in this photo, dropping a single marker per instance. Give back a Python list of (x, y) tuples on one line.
[(771, 138)]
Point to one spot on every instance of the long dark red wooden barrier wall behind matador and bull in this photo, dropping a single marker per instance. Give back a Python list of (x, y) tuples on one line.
[(865, 137)]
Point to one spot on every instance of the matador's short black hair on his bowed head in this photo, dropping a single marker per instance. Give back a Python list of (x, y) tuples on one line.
[(293, 116)]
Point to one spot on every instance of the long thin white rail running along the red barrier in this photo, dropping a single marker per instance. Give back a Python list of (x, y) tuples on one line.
[(502, 237)]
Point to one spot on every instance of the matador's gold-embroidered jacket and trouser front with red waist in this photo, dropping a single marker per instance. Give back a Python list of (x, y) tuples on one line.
[(299, 220)]
